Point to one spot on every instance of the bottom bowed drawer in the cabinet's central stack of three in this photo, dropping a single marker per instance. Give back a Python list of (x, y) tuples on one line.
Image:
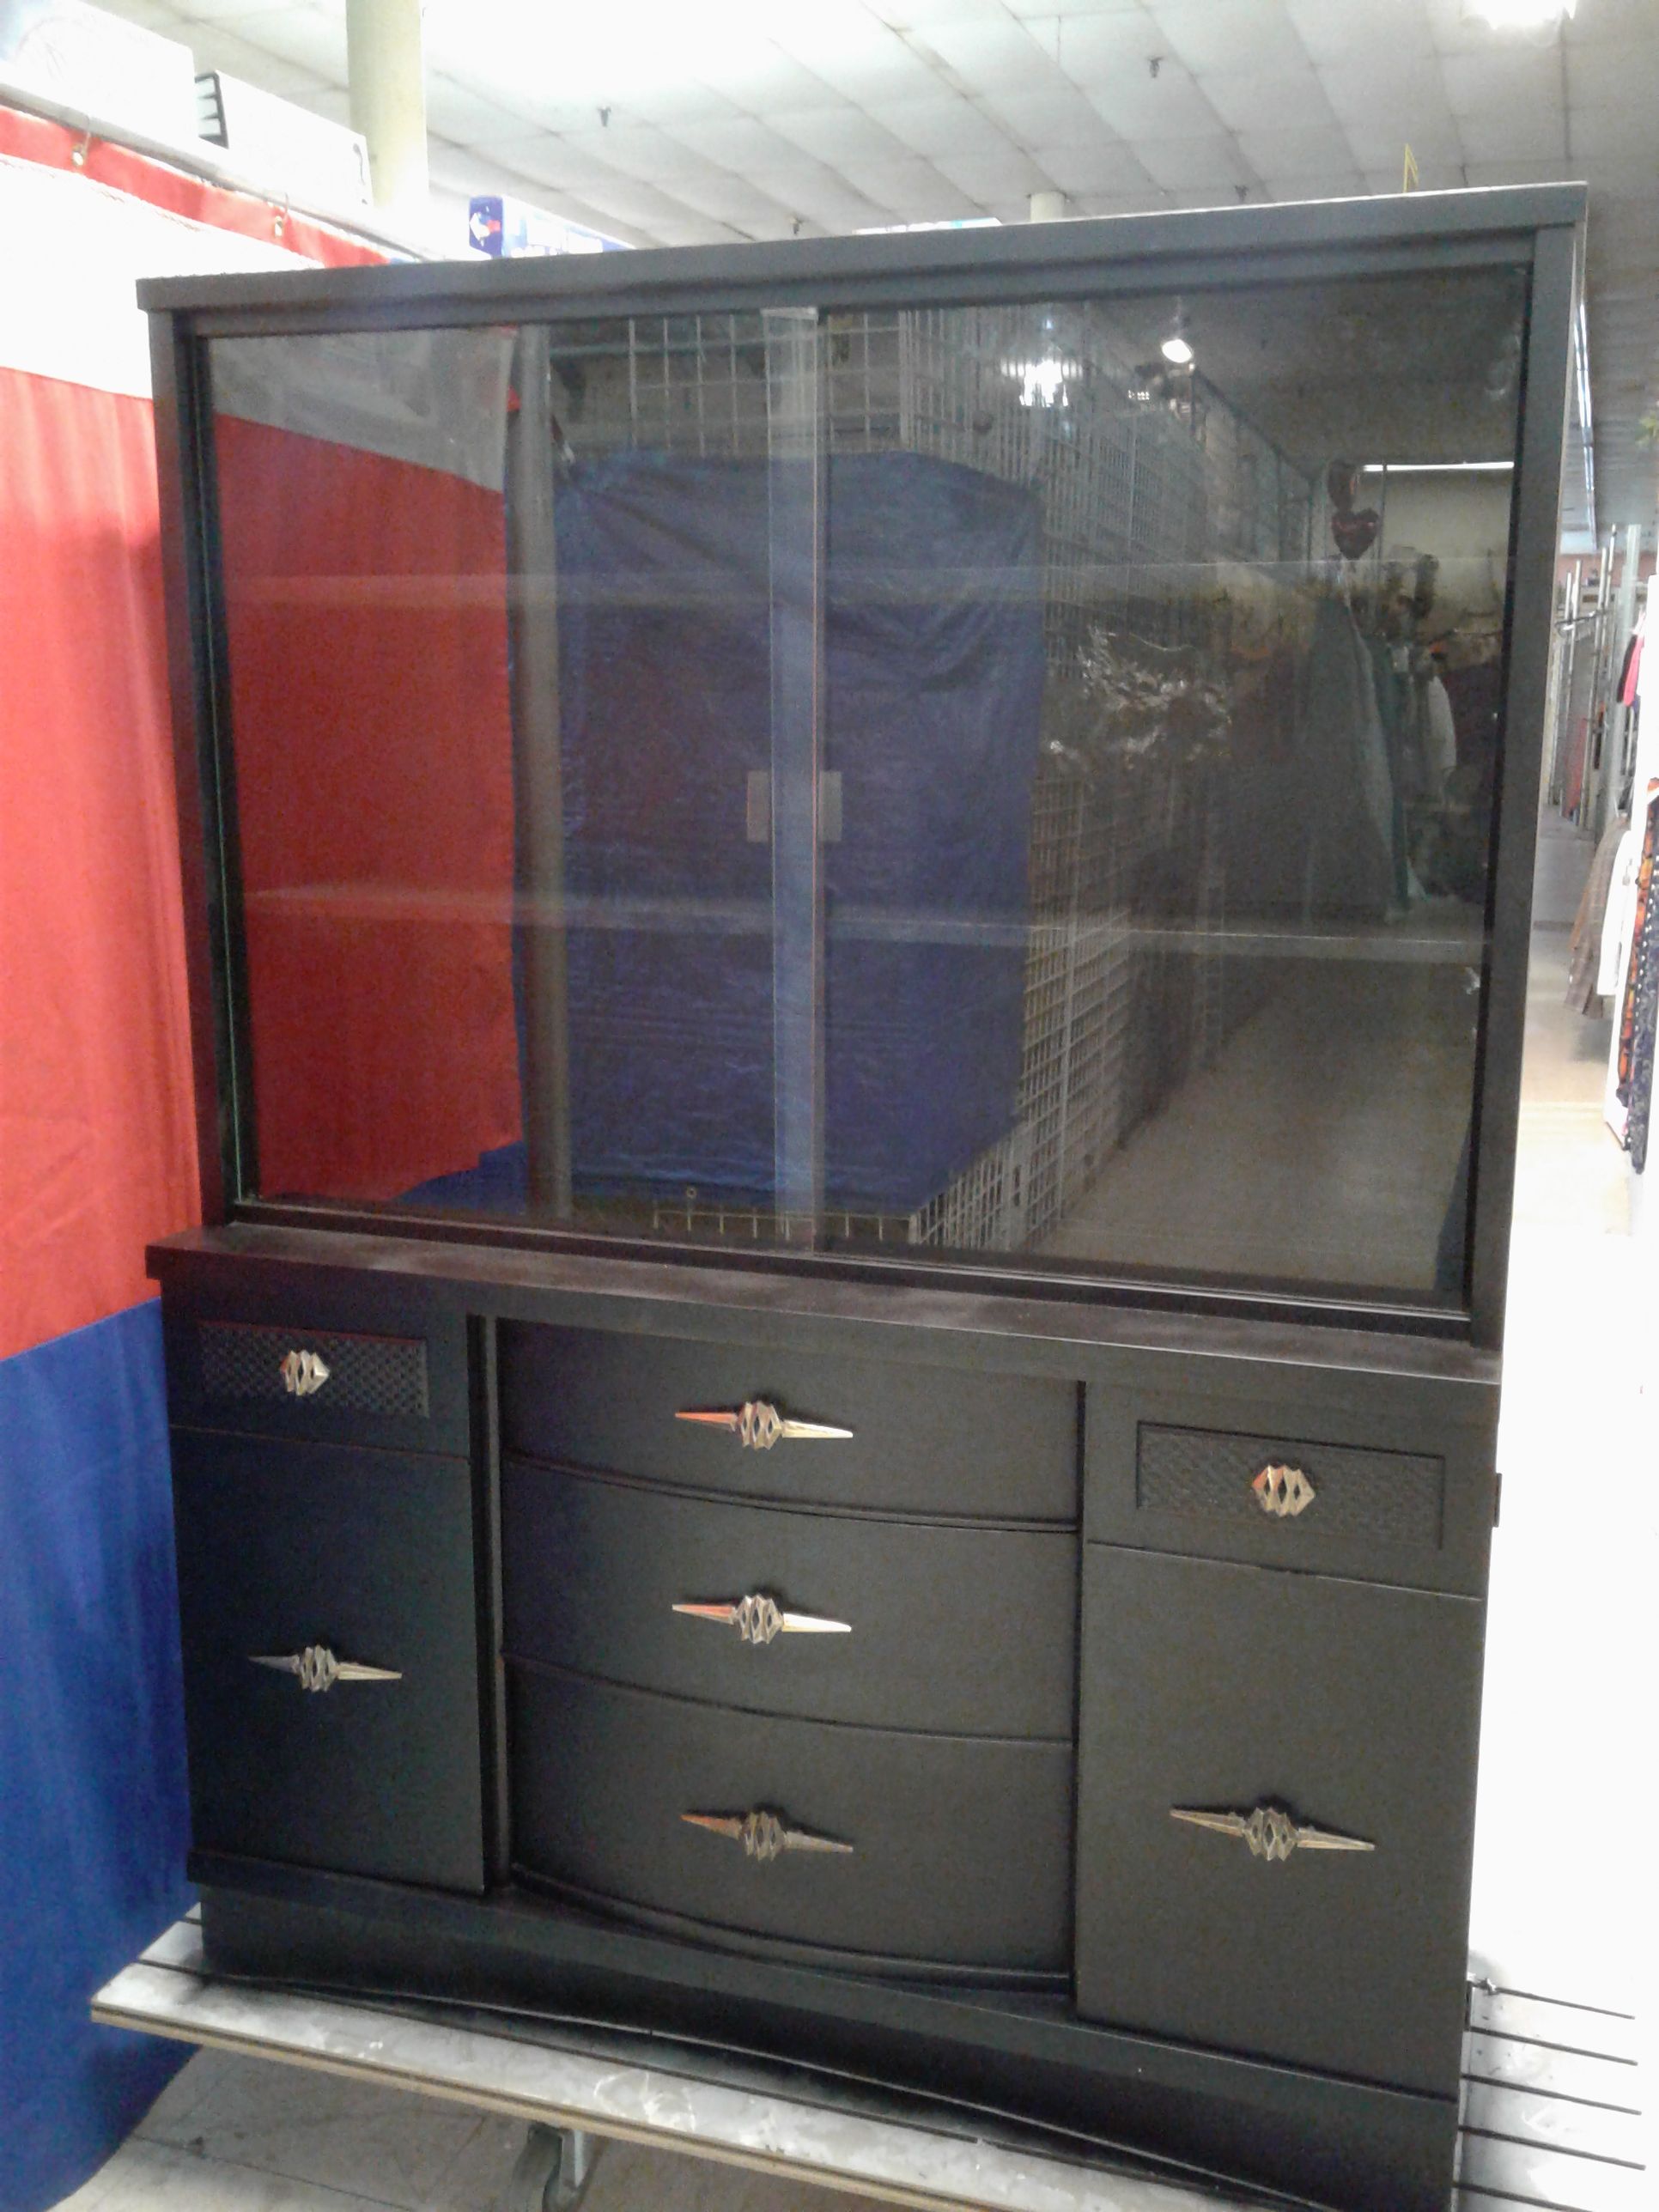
[(954, 1850)]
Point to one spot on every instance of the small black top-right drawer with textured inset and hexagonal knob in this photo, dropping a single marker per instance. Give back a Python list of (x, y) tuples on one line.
[(1388, 1496)]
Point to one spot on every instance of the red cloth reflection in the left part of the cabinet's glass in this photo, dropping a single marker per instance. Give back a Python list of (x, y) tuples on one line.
[(375, 791)]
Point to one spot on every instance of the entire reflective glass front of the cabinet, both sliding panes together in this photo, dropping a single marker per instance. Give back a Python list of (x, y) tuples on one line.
[(884, 780)]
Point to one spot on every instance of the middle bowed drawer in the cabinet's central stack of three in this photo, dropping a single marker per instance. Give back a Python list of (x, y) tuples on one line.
[(950, 1629)]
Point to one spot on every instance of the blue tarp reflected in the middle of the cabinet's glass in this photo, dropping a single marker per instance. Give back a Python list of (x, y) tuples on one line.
[(932, 711)]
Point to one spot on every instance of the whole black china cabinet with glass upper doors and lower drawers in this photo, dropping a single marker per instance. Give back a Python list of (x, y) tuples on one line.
[(857, 1100)]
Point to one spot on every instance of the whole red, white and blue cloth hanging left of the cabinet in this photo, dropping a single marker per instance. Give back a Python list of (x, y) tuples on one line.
[(96, 1140)]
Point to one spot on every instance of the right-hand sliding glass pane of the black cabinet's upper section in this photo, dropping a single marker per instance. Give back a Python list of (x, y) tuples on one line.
[(1165, 711)]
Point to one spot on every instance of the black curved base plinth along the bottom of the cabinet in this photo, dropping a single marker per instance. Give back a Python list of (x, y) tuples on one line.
[(1202, 2116)]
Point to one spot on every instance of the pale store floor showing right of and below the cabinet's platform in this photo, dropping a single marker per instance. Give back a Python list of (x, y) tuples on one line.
[(1565, 1822)]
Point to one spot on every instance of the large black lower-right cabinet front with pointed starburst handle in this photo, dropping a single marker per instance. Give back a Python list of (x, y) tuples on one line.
[(1215, 1691)]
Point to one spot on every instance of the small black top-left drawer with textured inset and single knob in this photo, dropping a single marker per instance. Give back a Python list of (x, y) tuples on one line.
[(397, 1375)]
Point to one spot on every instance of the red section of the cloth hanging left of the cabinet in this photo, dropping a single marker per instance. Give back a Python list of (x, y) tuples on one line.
[(96, 1131)]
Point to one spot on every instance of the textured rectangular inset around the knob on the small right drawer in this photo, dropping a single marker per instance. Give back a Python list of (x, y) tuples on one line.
[(1384, 1496)]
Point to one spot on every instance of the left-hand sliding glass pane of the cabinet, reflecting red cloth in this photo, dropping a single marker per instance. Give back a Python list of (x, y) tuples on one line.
[(503, 616)]
